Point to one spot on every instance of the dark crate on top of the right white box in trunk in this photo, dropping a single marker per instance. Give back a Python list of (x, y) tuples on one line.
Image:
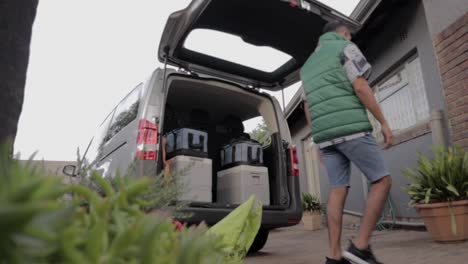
[(242, 152)]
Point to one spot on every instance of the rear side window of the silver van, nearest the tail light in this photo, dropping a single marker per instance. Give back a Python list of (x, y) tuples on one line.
[(125, 112)]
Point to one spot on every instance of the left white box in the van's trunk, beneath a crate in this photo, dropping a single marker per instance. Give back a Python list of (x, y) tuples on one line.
[(195, 176)]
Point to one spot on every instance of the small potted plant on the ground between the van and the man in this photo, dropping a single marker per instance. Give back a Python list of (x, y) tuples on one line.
[(312, 209)]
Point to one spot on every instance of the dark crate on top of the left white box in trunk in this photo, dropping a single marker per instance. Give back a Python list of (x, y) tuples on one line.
[(187, 142)]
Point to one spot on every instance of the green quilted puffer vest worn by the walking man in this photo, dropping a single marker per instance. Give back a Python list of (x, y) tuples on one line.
[(335, 110)]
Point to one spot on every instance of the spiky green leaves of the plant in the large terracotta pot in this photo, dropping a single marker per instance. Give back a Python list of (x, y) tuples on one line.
[(441, 179)]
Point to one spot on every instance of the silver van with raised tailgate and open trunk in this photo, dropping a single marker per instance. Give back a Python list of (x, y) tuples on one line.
[(192, 79)]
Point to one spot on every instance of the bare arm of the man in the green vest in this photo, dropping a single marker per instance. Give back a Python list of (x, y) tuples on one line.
[(365, 94)]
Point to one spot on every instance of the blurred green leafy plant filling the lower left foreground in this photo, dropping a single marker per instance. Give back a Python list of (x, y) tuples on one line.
[(45, 221)]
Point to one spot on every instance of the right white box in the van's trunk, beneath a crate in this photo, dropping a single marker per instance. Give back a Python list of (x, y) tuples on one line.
[(235, 185)]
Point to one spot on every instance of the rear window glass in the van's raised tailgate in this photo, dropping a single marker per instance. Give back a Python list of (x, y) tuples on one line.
[(221, 45)]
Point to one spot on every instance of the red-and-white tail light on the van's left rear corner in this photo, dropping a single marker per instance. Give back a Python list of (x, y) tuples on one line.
[(147, 140)]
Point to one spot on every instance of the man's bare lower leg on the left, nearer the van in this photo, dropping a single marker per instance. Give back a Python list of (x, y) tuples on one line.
[(336, 201)]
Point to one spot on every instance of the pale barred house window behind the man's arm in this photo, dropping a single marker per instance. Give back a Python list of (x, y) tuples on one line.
[(402, 96)]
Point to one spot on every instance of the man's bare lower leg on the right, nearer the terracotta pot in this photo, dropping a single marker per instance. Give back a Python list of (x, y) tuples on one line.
[(375, 203)]
